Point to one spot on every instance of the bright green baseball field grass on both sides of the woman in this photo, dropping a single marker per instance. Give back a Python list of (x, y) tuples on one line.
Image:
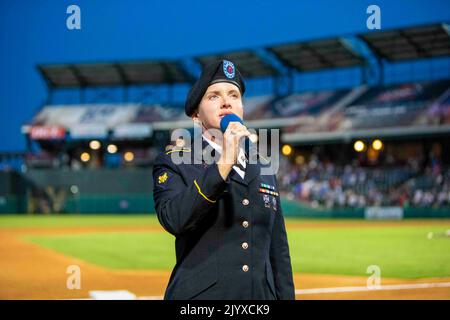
[(400, 249)]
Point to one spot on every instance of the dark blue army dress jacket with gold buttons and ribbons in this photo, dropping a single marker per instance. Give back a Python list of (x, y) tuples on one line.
[(230, 237)]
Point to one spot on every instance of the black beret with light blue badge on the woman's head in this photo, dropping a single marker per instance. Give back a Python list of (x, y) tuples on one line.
[(217, 71)]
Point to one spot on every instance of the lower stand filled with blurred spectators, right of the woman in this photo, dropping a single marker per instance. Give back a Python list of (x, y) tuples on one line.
[(321, 184)]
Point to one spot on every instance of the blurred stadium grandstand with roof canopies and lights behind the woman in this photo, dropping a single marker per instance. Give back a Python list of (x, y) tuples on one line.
[(364, 122)]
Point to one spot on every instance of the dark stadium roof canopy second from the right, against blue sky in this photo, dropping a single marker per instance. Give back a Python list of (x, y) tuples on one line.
[(317, 55)]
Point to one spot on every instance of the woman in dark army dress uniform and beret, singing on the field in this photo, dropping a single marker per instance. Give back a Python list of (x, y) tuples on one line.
[(230, 236)]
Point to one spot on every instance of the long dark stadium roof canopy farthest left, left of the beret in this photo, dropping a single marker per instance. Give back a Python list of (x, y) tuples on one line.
[(114, 74)]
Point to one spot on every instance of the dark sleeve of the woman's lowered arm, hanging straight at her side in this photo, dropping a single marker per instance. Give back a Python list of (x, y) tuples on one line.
[(280, 260)]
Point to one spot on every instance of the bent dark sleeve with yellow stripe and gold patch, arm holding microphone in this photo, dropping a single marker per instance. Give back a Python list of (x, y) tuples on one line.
[(182, 205)]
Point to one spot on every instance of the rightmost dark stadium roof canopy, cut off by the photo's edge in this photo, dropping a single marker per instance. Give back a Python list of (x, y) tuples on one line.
[(410, 43)]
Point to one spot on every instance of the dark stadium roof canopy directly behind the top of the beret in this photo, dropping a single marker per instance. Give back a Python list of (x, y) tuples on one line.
[(250, 64)]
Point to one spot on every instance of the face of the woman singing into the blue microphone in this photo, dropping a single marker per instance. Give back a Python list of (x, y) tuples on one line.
[(219, 100)]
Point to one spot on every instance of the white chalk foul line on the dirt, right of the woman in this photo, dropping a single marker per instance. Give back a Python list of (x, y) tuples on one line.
[(380, 288)]
